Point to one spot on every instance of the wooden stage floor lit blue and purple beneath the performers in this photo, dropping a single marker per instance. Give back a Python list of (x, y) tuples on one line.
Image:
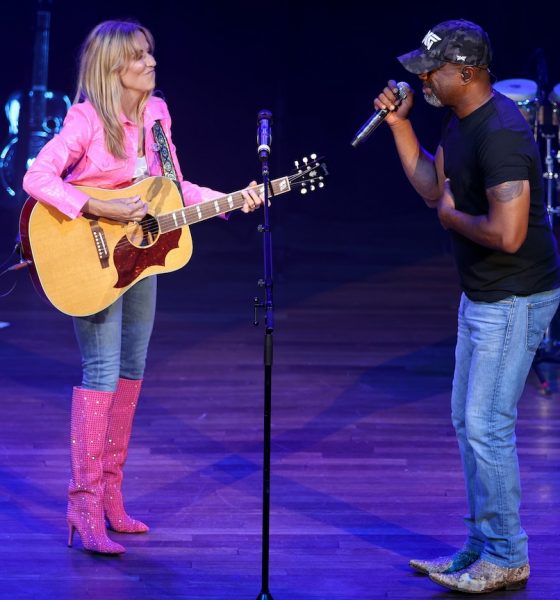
[(366, 472)]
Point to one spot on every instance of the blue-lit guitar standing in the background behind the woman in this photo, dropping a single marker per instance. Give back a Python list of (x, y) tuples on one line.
[(34, 117)]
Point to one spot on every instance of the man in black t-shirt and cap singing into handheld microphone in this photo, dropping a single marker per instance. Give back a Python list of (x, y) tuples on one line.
[(485, 182)]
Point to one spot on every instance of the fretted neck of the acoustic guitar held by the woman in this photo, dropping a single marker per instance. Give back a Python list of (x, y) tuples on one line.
[(211, 208)]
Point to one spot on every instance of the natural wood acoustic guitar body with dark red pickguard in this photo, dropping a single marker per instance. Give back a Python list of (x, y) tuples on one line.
[(83, 265)]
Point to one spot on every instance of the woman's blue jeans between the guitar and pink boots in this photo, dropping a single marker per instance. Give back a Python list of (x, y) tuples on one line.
[(114, 342)]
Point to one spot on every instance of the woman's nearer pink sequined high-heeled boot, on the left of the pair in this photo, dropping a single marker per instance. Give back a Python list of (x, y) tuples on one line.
[(88, 428)]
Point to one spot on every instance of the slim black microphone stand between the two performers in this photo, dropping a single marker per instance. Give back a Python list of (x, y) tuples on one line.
[(267, 304)]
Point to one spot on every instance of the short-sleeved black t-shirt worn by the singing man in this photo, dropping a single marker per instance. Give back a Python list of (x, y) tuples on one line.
[(492, 145)]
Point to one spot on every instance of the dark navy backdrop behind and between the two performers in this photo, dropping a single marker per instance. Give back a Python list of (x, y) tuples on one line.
[(317, 66)]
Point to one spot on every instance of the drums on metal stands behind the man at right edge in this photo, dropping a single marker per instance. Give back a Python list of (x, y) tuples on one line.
[(542, 113)]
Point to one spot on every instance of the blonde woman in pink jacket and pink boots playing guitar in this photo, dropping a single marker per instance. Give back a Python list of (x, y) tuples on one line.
[(107, 142)]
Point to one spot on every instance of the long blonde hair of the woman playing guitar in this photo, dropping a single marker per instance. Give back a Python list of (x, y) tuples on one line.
[(108, 49)]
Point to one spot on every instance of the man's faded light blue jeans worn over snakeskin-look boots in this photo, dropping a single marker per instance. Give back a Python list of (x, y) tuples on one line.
[(496, 344)]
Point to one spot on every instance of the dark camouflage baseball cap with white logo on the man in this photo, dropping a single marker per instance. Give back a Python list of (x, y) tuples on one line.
[(459, 41)]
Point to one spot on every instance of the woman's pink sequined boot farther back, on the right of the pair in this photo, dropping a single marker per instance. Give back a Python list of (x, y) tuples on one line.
[(121, 416)]
